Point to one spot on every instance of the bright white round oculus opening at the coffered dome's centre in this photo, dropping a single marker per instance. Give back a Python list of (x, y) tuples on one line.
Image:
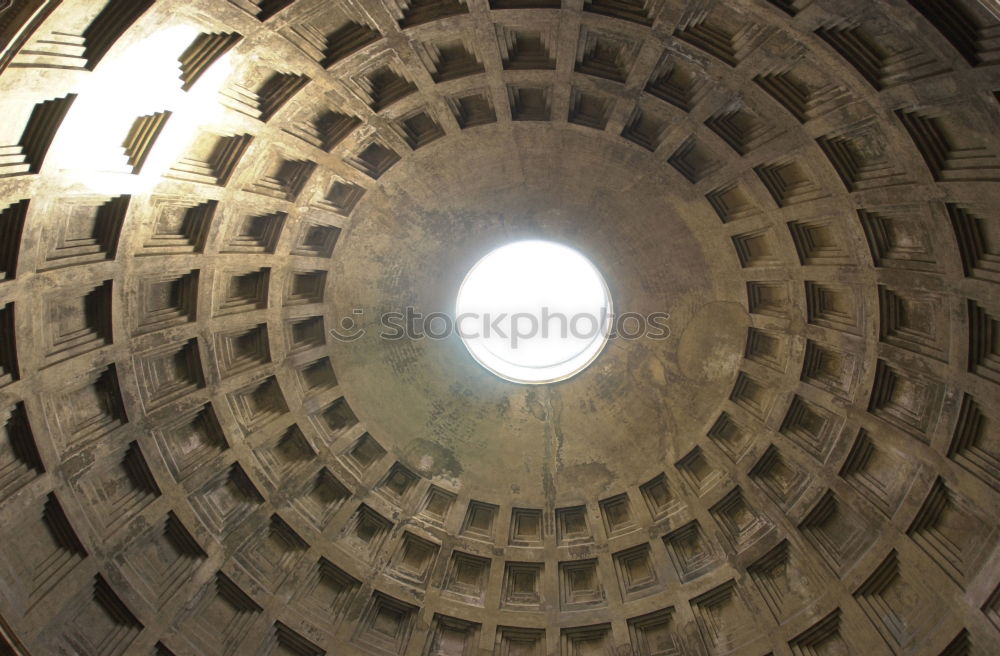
[(534, 312)]
